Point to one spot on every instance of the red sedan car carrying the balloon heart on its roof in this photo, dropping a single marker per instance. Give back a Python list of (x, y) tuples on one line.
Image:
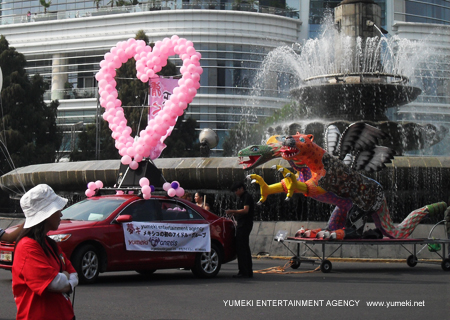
[(92, 235)]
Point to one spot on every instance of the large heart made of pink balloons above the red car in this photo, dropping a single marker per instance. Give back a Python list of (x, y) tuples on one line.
[(148, 62)]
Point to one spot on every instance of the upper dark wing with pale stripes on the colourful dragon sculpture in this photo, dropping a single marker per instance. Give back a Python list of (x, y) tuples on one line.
[(358, 137)]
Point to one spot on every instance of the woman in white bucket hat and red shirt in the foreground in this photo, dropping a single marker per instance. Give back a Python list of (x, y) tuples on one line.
[(42, 276)]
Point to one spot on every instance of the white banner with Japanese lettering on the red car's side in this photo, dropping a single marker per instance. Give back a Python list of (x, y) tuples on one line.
[(147, 236)]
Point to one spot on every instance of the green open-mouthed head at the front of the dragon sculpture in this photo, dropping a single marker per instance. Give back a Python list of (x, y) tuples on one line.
[(259, 154)]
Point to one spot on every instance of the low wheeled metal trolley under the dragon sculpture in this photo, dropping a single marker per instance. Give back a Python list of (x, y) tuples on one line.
[(326, 266)]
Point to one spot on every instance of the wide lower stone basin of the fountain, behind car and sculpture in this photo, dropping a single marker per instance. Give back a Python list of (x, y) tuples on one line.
[(409, 183)]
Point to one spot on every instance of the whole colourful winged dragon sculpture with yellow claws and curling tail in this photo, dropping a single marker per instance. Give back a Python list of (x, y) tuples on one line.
[(326, 178)]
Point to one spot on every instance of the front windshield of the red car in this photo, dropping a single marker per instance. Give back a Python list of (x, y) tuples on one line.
[(92, 209)]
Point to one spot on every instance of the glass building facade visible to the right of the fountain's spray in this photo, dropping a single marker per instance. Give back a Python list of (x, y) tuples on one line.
[(427, 20)]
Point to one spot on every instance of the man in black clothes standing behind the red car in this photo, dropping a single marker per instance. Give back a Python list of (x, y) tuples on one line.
[(244, 219)]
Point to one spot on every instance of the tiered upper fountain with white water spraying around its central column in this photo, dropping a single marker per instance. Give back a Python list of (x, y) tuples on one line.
[(355, 73)]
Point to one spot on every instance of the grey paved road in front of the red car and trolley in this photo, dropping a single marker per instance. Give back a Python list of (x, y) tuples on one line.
[(342, 294)]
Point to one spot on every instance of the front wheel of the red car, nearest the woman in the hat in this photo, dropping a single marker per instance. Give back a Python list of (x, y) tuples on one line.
[(87, 263)]
